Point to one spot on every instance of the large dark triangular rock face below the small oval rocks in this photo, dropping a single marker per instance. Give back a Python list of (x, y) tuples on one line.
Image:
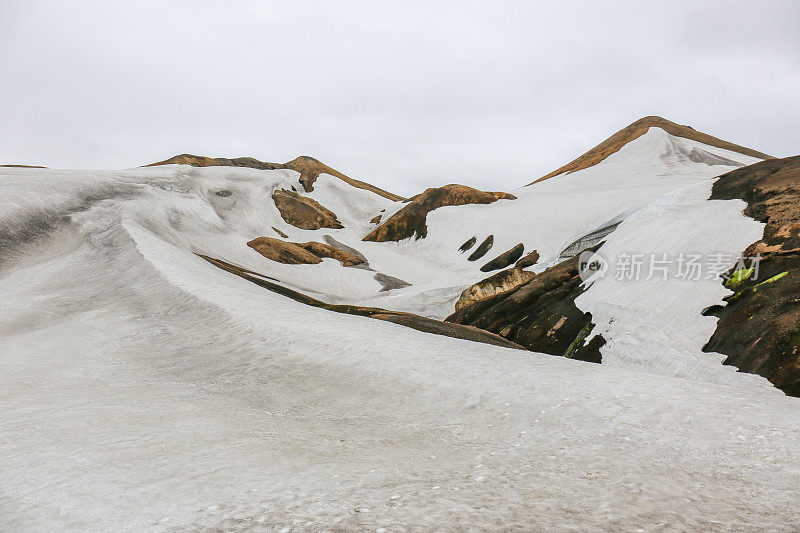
[(539, 314)]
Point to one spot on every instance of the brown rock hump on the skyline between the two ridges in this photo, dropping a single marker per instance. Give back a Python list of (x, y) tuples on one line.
[(410, 220)]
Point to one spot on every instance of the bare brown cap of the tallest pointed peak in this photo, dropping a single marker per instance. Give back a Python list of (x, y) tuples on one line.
[(636, 130)]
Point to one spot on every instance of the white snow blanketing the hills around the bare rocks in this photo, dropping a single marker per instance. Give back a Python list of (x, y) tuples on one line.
[(142, 388)]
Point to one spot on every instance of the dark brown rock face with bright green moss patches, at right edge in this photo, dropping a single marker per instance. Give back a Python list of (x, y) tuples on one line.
[(759, 328)]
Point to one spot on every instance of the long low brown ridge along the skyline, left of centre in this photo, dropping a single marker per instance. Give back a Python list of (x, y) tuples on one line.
[(308, 167)]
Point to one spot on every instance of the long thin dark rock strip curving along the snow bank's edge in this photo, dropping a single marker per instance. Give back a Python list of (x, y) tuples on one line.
[(417, 322)]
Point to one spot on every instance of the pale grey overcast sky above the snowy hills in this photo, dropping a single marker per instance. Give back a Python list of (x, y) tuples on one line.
[(402, 94)]
